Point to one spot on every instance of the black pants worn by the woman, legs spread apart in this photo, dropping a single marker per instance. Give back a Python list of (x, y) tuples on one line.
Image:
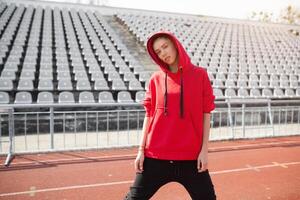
[(160, 172)]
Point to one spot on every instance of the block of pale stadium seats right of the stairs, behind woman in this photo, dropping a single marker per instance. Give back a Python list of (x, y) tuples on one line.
[(242, 60)]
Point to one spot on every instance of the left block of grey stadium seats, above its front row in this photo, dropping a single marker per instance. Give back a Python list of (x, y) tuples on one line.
[(63, 50)]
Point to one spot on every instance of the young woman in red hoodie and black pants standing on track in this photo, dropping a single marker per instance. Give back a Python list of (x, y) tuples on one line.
[(176, 127)]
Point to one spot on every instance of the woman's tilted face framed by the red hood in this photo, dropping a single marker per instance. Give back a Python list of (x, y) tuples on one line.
[(166, 51)]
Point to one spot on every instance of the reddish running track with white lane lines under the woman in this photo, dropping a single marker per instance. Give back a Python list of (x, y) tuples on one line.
[(241, 170)]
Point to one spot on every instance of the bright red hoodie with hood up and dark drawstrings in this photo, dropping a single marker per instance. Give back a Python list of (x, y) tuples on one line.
[(175, 104)]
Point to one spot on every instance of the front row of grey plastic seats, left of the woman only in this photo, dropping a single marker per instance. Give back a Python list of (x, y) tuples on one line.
[(69, 97)]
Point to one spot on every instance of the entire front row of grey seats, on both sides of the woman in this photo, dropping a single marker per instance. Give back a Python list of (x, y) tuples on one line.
[(126, 97)]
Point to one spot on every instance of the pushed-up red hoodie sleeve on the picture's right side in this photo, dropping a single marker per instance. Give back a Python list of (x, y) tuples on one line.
[(208, 96)]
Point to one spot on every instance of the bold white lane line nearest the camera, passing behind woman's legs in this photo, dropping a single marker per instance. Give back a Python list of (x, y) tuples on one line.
[(130, 181)]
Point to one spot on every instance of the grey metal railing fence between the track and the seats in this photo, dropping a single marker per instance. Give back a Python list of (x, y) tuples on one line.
[(43, 128)]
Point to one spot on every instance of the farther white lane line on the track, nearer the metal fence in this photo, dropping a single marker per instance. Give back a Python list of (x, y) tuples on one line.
[(236, 147)]
